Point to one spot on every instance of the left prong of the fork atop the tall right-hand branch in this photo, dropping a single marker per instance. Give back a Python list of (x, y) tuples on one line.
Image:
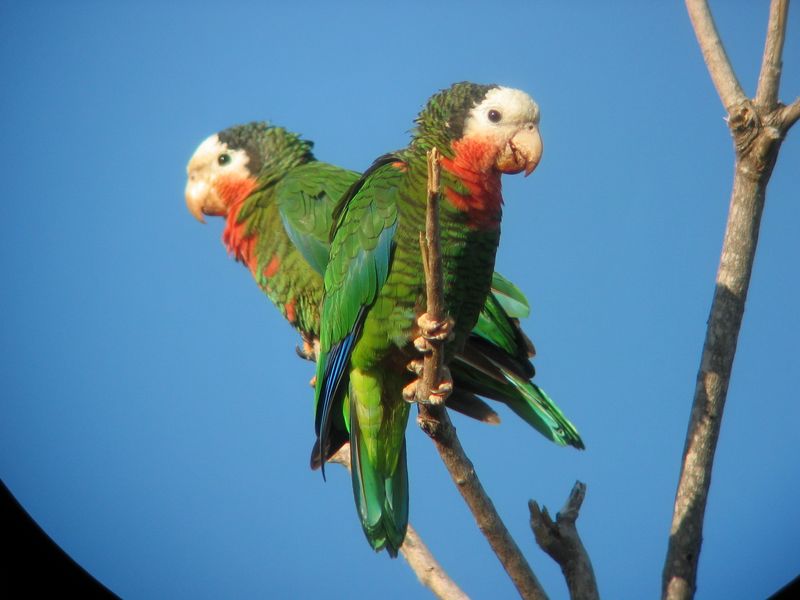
[(728, 88)]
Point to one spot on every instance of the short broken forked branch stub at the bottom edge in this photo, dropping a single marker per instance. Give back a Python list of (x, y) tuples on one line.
[(562, 542)]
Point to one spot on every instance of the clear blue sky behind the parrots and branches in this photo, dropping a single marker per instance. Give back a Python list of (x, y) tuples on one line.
[(154, 417)]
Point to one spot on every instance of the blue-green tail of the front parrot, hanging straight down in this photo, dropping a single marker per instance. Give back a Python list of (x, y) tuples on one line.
[(381, 498)]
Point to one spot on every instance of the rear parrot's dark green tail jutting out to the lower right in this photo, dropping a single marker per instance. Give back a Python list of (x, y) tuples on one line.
[(485, 377)]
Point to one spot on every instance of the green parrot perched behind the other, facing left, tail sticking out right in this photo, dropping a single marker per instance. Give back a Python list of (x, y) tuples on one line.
[(278, 202)]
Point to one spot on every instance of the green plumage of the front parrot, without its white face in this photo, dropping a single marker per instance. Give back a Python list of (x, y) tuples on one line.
[(374, 290)]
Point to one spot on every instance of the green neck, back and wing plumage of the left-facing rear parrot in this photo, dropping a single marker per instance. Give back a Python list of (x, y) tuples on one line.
[(288, 218)]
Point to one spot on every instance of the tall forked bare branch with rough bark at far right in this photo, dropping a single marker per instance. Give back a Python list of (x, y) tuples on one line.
[(758, 127)]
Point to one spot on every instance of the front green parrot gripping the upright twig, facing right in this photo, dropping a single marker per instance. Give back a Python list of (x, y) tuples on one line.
[(373, 316)]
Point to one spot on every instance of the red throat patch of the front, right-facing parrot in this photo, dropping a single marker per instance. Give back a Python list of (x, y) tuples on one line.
[(473, 164)]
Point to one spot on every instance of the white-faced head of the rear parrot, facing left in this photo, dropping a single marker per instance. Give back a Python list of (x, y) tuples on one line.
[(228, 166)]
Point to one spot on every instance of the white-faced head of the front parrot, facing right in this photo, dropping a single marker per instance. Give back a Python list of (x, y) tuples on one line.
[(489, 127)]
